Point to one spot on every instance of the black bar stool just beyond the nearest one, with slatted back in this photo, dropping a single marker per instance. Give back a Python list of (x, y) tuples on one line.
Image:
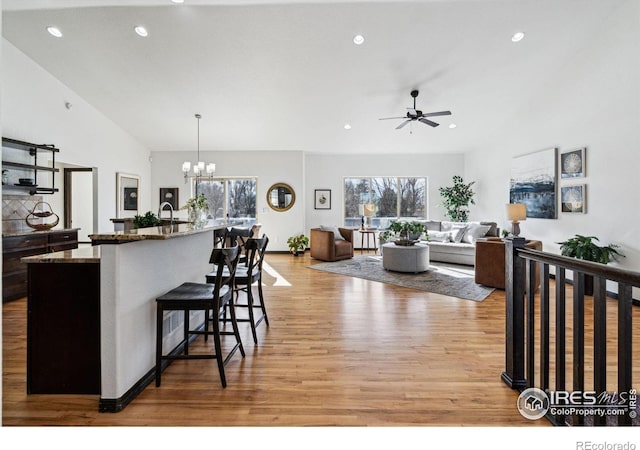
[(246, 275)]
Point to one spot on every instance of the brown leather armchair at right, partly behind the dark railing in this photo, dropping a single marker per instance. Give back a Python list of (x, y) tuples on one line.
[(490, 261)]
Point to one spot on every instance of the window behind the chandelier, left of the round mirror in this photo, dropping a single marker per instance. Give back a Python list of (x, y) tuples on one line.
[(232, 198)]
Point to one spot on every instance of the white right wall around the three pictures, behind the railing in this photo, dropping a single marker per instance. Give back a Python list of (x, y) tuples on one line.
[(592, 101)]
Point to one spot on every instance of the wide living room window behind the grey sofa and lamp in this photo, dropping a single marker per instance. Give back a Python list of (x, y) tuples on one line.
[(394, 198)]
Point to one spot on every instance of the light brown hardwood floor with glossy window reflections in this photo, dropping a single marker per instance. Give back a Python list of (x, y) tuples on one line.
[(340, 351)]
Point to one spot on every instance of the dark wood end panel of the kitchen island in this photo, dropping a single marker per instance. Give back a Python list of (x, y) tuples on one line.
[(63, 328)]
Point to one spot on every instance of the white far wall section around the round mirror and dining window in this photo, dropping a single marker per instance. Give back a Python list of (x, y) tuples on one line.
[(268, 167)]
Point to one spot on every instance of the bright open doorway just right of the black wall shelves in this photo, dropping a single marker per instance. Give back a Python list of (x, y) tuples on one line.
[(80, 201)]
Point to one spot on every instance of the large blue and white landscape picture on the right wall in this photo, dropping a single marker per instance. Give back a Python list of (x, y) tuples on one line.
[(534, 183)]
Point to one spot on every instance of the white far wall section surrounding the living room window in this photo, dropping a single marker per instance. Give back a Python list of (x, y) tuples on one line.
[(328, 172)]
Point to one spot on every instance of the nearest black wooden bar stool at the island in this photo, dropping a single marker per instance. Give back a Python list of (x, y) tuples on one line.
[(202, 297)]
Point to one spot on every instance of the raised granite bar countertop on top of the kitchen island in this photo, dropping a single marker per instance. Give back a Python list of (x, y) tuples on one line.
[(154, 233)]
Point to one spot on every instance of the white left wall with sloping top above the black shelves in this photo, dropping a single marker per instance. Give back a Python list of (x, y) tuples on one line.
[(33, 110)]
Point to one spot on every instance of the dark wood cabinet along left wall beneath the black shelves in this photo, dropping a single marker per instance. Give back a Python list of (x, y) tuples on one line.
[(14, 272)]
